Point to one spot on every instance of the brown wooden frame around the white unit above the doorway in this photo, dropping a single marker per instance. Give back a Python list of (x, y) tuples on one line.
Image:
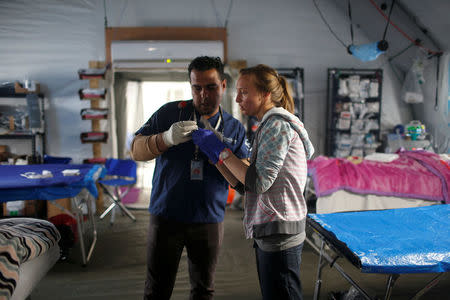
[(165, 34)]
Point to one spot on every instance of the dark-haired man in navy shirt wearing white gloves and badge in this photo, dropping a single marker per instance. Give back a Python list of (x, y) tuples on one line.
[(189, 194)]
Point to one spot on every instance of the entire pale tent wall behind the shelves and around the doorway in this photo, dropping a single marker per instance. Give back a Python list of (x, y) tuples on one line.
[(49, 40)]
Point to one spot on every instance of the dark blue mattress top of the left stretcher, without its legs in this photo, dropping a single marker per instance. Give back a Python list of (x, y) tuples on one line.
[(14, 186)]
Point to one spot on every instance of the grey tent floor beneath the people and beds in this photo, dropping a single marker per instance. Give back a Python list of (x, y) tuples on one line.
[(117, 269)]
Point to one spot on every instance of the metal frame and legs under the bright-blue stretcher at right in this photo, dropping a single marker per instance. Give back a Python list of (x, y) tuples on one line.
[(341, 251)]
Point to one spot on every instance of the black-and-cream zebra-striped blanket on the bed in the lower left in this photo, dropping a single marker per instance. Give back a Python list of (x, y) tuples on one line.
[(22, 239)]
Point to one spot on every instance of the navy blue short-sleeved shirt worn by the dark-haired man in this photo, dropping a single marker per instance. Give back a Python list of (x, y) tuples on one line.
[(174, 195)]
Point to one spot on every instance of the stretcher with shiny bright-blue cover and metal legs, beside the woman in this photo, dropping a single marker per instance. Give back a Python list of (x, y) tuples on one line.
[(392, 242)]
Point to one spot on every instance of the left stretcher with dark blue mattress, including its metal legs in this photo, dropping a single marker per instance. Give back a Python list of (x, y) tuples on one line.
[(55, 181)]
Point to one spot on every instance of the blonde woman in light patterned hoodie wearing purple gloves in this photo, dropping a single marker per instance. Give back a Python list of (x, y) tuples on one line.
[(275, 209)]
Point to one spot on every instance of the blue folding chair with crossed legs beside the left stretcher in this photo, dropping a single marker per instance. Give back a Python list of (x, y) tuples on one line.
[(120, 173)]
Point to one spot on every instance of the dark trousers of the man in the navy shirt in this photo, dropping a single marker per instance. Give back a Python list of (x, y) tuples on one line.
[(166, 240)]
